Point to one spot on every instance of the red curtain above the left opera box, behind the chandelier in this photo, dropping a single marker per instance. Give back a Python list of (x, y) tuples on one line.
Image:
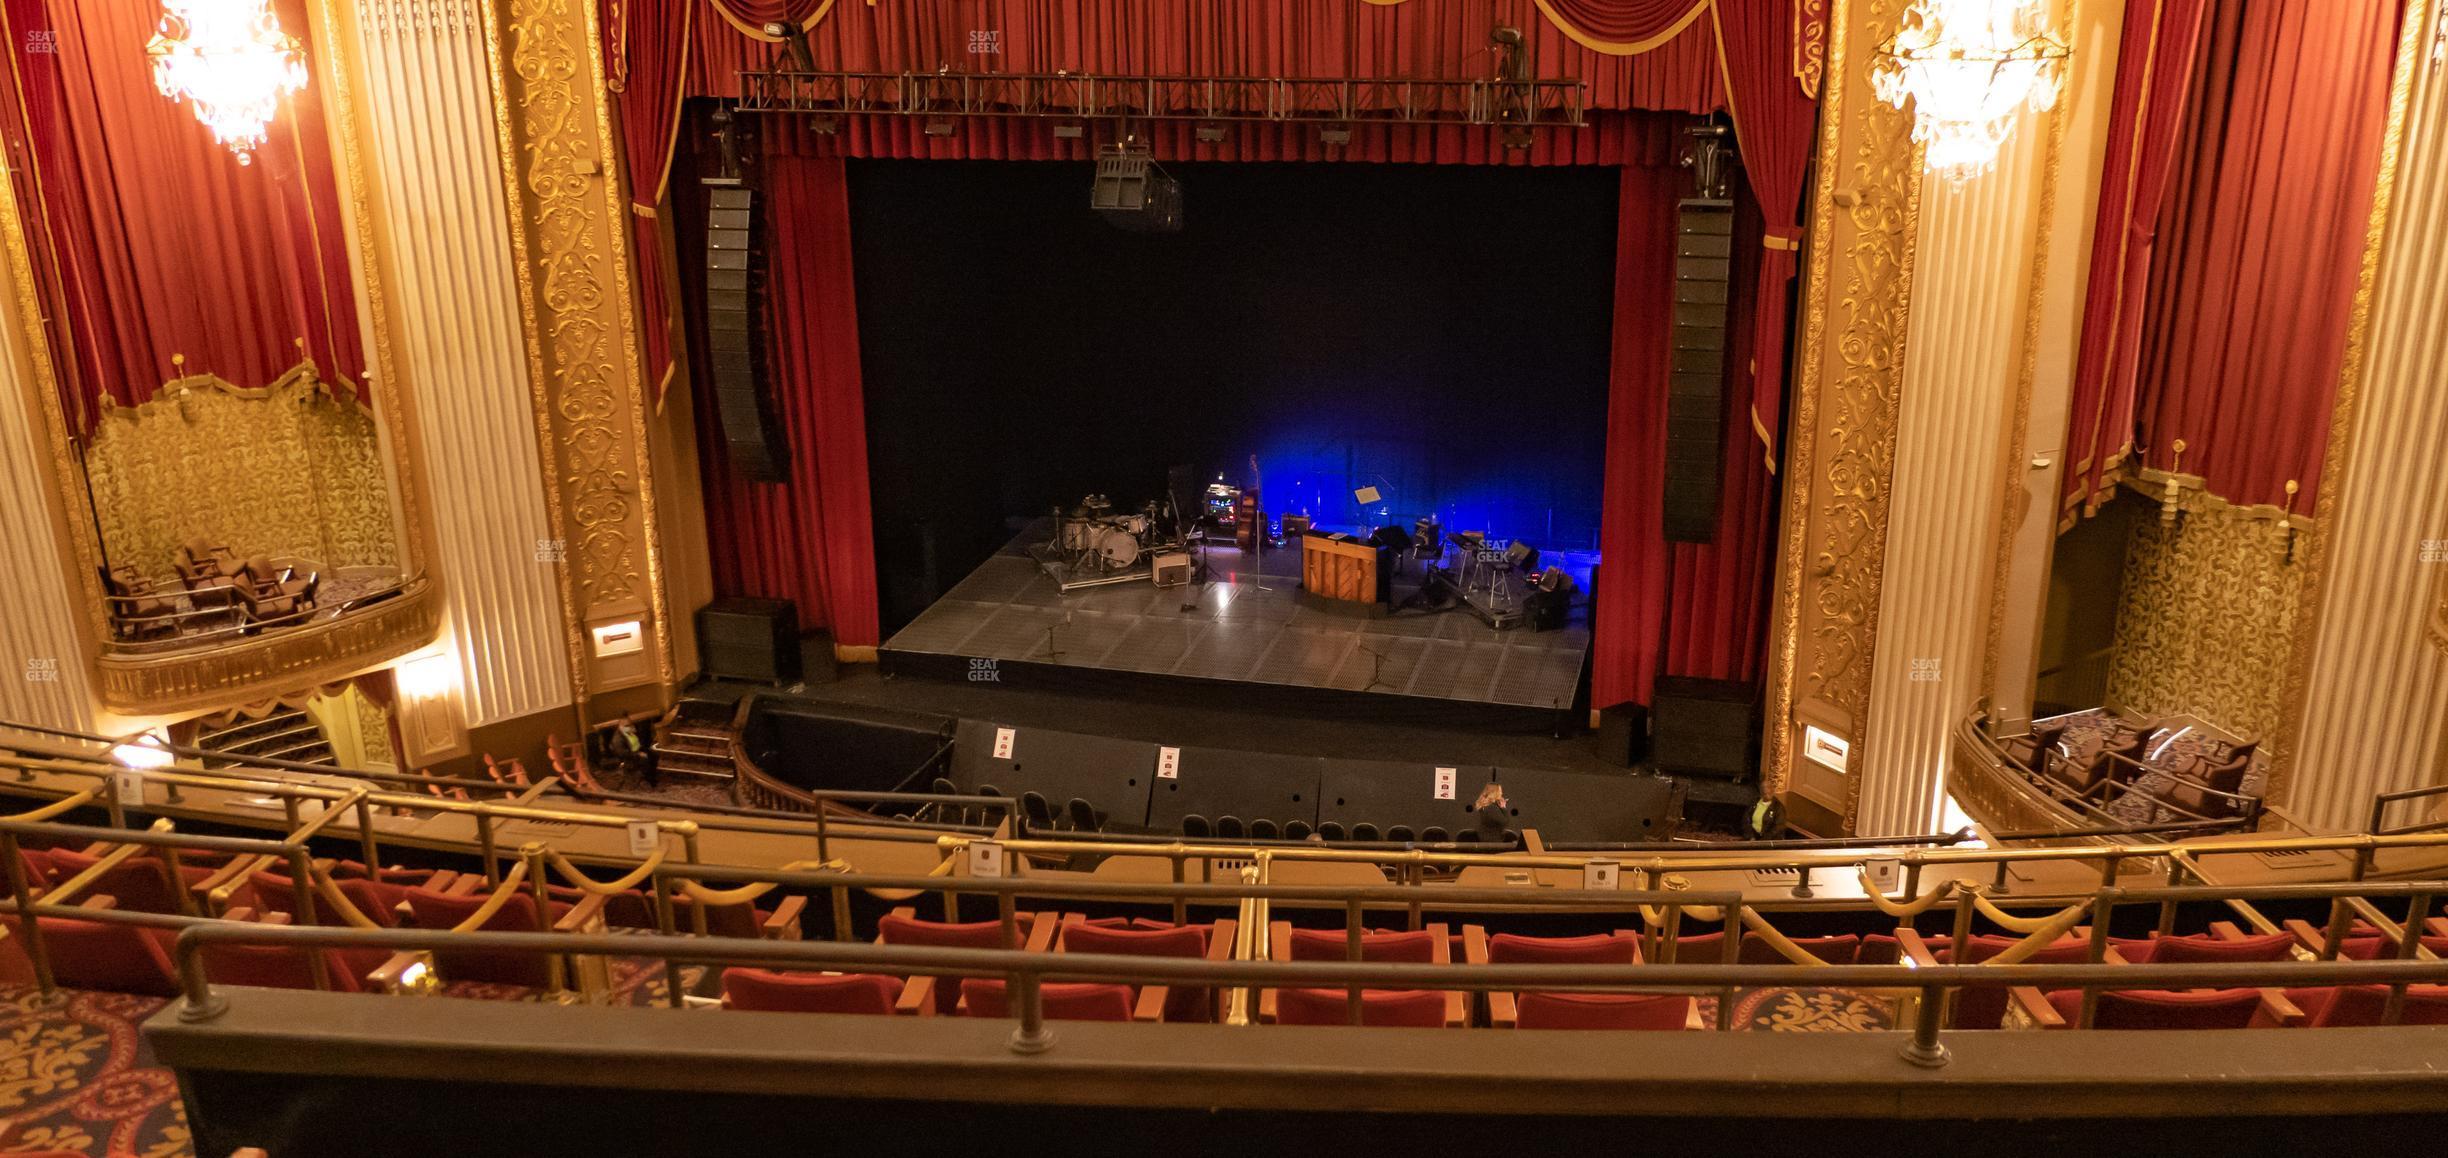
[(153, 236)]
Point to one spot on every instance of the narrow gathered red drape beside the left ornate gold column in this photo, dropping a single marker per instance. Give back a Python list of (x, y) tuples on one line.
[(647, 60)]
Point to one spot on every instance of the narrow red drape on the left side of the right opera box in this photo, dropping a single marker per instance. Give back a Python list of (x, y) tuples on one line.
[(2155, 70)]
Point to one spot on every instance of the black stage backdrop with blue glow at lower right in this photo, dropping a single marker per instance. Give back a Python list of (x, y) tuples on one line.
[(1436, 332)]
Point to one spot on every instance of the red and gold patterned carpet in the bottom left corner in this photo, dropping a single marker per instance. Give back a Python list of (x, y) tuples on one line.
[(80, 1078)]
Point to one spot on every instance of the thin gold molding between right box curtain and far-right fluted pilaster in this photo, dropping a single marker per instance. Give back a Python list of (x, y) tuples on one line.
[(2413, 53)]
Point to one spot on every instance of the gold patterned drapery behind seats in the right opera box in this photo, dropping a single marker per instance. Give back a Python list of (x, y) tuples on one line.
[(2207, 618)]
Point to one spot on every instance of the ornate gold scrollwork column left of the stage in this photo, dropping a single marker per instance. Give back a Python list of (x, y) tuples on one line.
[(569, 251)]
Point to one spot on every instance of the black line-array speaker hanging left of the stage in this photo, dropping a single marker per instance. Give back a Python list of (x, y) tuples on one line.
[(736, 337)]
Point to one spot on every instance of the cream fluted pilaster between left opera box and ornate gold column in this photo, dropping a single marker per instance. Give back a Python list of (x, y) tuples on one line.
[(437, 187)]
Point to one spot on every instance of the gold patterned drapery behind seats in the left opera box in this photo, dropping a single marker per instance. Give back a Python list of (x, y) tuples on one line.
[(293, 469)]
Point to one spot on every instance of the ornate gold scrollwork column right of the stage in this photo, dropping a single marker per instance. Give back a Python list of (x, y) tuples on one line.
[(1847, 390)]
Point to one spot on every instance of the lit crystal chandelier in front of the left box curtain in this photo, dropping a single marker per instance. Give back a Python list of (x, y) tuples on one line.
[(231, 62)]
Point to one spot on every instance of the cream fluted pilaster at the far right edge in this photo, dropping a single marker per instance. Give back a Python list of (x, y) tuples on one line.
[(2368, 682)]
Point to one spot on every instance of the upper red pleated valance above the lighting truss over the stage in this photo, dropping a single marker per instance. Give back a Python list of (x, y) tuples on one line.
[(1225, 38)]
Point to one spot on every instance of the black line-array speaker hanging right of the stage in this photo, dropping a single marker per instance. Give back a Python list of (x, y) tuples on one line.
[(1698, 378)]
